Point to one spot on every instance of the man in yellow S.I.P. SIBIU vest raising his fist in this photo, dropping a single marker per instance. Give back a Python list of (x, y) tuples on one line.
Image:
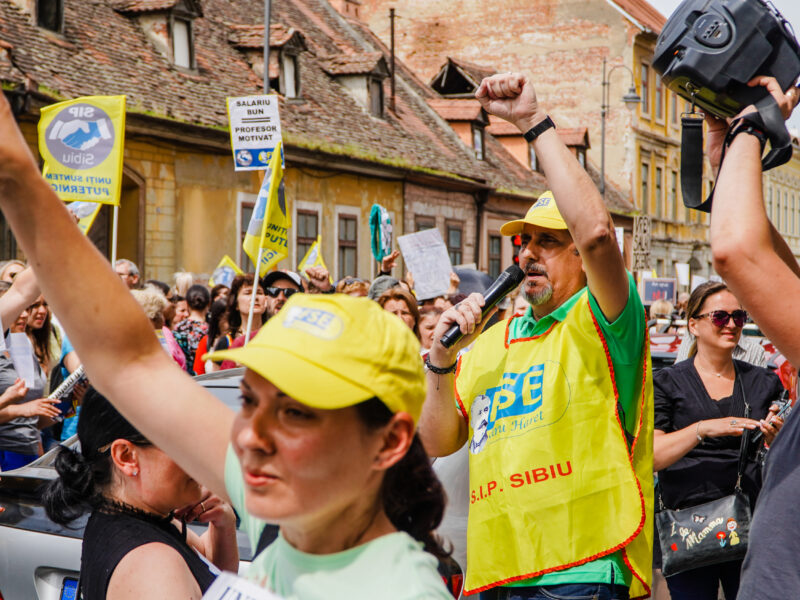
[(556, 404)]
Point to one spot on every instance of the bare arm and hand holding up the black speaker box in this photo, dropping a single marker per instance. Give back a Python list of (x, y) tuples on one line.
[(759, 269)]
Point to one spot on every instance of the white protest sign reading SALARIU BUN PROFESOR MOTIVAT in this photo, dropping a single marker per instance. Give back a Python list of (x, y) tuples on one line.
[(255, 130)]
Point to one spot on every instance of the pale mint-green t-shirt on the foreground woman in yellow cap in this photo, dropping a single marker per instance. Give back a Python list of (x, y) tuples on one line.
[(391, 567)]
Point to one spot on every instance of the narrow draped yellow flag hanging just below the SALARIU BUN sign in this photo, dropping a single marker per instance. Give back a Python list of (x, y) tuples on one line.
[(269, 225)]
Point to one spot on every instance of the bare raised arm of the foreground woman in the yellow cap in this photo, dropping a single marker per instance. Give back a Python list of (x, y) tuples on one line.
[(125, 362)]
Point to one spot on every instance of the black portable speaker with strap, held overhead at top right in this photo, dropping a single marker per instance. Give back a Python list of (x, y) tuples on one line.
[(709, 50)]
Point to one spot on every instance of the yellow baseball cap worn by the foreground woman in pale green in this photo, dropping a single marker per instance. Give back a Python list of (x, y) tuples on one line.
[(332, 350)]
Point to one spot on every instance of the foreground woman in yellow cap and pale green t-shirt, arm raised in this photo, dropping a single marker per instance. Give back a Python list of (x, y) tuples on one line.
[(325, 441)]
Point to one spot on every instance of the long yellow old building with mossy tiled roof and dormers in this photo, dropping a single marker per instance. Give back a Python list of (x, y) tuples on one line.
[(349, 141)]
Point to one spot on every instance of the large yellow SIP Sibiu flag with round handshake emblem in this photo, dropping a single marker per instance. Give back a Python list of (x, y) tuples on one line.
[(81, 142)]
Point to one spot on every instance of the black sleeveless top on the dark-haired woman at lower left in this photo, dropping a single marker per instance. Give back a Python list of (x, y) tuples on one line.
[(109, 537)]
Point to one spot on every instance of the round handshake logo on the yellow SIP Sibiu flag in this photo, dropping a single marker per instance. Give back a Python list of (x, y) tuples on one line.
[(81, 136)]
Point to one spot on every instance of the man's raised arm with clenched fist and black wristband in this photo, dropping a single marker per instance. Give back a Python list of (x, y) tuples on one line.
[(512, 97)]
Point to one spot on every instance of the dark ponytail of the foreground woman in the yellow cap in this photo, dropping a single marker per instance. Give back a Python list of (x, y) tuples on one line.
[(412, 495)]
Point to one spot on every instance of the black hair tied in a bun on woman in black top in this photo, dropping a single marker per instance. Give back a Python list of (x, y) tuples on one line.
[(84, 476)]
